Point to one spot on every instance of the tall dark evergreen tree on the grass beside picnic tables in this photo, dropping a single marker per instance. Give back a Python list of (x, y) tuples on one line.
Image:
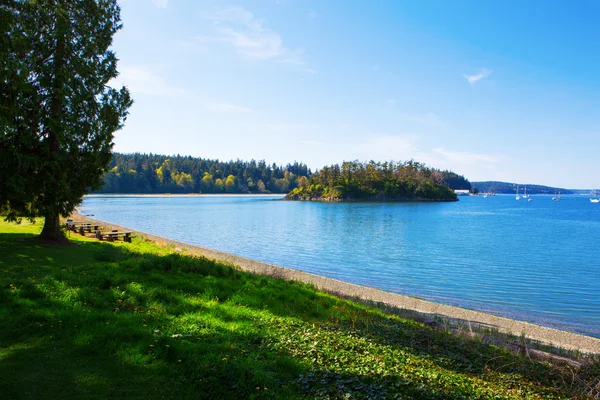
[(58, 112)]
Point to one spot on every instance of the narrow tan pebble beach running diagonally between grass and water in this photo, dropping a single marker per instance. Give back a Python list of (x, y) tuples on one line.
[(367, 295)]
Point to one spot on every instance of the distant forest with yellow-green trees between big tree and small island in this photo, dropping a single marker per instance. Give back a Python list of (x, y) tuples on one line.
[(153, 173)]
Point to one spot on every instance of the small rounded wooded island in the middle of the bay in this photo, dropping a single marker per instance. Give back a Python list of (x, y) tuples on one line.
[(376, 181)]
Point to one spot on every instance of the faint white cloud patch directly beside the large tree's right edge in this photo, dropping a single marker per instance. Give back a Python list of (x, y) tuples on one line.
[(143, 80)]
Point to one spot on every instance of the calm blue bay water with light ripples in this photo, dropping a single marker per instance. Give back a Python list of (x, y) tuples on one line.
[(534, 261)]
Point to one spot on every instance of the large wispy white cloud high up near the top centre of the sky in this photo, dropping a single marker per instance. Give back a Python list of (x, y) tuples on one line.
[(248, 35)]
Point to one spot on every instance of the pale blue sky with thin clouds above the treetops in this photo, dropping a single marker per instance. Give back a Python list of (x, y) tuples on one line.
[(493, 90)]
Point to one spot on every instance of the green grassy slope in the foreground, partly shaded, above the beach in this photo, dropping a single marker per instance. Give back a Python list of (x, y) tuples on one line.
[(117, 320)]
